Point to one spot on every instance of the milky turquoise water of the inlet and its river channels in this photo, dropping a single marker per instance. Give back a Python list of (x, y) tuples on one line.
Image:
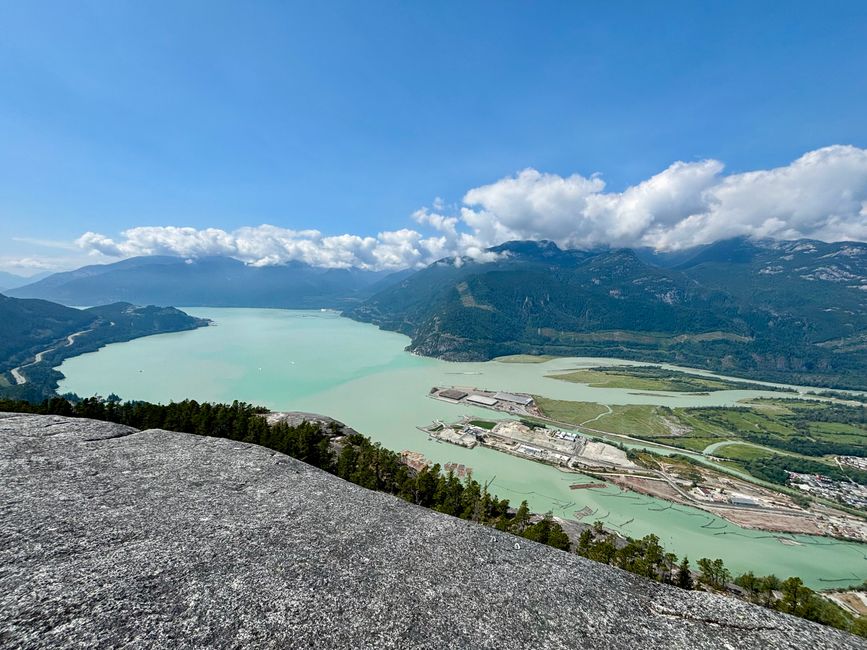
[(320, 362)]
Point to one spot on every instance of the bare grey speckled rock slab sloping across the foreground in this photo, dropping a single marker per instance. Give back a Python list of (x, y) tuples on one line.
[(114, 537)]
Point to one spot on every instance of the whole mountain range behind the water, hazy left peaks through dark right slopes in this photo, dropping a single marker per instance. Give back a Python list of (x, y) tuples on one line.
[(776, 310)]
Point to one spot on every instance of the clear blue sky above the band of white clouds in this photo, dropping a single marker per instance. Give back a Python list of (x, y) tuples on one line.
[(348, 117)]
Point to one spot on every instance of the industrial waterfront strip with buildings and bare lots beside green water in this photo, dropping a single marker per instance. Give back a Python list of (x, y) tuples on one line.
[(671, 478)]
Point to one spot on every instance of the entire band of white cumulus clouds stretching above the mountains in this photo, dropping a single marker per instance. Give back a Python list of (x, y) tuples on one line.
[(821, 195)]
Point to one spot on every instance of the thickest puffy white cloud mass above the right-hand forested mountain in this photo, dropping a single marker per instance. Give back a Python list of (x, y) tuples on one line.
[(821, 195)]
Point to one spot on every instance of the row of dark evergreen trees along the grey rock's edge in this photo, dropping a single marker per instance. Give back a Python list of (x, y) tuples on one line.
[(357, 459)]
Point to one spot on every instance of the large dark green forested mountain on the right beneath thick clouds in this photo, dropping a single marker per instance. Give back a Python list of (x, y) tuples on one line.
[(786, 311)]
